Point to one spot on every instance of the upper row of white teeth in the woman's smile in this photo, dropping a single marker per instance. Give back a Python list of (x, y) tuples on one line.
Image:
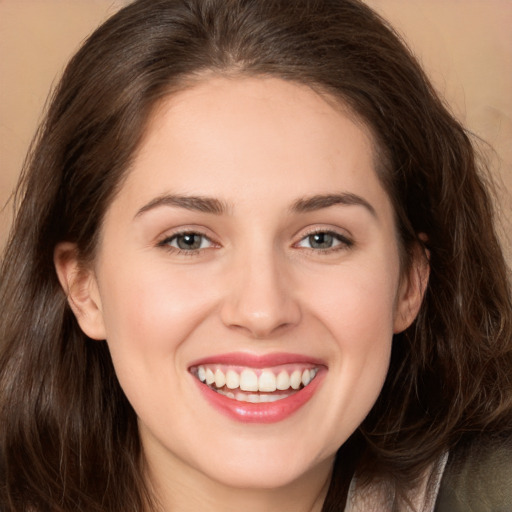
[(248, 379)]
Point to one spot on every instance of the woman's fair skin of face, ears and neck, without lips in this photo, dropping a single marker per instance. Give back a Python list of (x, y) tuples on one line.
[(256, 285)]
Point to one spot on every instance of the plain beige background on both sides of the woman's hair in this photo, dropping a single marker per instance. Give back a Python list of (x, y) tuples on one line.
[(465, 45)]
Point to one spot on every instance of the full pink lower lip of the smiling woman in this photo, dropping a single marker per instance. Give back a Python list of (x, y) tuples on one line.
[(266, 412)]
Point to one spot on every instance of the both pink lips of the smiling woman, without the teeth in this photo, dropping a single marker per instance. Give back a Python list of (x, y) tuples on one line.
[(267, 412)]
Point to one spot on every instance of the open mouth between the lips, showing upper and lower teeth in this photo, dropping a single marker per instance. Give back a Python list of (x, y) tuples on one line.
[(255, 385)]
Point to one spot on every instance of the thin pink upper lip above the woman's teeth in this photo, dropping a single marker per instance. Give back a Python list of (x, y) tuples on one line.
[(257, 360)]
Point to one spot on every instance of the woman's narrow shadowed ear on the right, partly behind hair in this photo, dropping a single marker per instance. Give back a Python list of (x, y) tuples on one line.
[(412, 290)]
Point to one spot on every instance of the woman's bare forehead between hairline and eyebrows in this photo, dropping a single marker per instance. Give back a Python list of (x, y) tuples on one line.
[(224, 135)]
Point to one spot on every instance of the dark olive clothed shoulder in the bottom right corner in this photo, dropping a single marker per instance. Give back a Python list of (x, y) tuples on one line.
[(478, 477)]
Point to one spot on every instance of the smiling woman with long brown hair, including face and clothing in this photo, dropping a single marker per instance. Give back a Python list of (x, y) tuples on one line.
[(254, 266)]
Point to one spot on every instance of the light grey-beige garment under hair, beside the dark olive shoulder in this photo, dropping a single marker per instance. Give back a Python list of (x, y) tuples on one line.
[(380, 496)]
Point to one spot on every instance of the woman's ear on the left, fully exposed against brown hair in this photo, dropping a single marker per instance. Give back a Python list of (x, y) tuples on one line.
[(81, 289)]
